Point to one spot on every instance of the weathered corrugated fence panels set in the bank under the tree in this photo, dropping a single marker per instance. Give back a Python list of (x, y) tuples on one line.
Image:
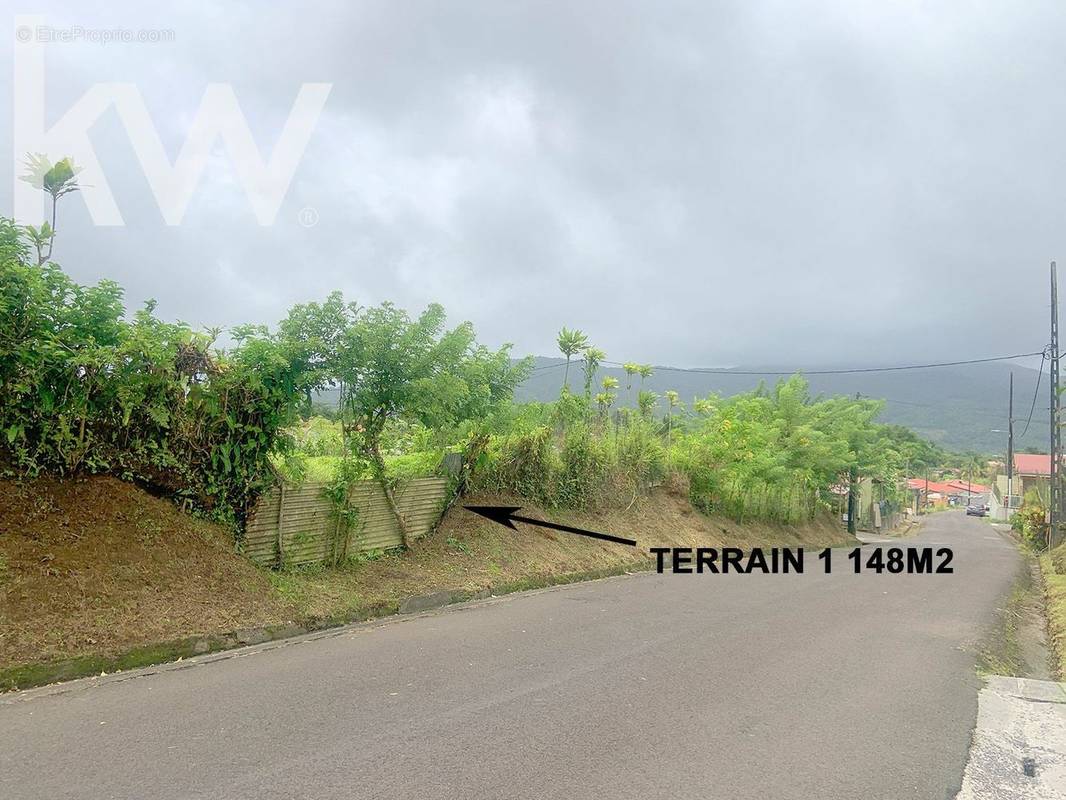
[(299, 525)]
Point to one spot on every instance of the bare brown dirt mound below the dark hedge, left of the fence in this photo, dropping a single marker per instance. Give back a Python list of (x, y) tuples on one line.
[(96, 566)]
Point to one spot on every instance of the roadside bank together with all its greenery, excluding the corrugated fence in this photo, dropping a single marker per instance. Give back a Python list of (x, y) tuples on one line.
[(337, 392)]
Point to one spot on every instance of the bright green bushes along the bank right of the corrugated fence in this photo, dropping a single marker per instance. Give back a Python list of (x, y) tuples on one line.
[(772, 455)]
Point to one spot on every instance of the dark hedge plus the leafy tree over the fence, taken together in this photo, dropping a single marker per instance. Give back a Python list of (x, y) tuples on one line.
[(86, 390)]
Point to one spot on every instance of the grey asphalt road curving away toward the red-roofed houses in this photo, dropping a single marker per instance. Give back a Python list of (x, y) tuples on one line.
[(650, 686)]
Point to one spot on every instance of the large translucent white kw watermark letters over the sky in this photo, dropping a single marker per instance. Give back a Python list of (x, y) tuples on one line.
[(266, 182)]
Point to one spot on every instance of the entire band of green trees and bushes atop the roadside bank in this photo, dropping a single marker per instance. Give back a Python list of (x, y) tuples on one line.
[(85, 389)]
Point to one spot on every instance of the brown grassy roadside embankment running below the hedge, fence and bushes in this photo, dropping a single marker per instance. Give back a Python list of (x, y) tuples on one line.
[(96, 575)]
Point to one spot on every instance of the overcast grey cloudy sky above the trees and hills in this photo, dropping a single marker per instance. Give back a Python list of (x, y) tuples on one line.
[(700, 184)]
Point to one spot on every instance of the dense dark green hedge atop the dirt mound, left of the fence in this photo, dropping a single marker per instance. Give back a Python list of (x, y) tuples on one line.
[(84, 390)]
